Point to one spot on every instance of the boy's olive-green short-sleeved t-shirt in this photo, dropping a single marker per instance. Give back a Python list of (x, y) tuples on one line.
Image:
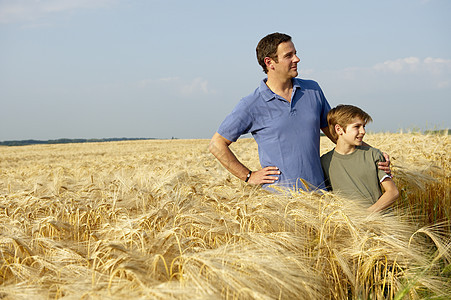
[(355, 175)]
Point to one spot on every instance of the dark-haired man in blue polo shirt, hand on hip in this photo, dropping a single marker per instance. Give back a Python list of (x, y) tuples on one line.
[(284, 115)]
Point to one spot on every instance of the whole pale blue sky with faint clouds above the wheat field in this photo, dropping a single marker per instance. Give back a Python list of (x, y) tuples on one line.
[(123, 68)]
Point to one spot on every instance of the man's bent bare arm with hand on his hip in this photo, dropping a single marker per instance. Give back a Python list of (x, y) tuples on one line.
[(219, 147)]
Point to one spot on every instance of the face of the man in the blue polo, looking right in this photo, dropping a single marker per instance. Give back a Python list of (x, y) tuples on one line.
[(287, 65)]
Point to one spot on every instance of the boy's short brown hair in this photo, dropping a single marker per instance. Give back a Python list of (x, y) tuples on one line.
[(343, 116)]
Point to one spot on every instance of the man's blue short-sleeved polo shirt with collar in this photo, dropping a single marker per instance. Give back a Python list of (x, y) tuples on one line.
[(287, 133)]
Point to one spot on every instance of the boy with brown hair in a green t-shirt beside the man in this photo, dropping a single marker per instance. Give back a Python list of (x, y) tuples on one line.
[(351, 168)]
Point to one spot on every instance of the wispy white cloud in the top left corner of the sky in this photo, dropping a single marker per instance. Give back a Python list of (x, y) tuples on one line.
[(12, 11)]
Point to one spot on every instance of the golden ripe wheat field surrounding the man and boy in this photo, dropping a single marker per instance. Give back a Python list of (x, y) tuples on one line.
[(162, 219)]
